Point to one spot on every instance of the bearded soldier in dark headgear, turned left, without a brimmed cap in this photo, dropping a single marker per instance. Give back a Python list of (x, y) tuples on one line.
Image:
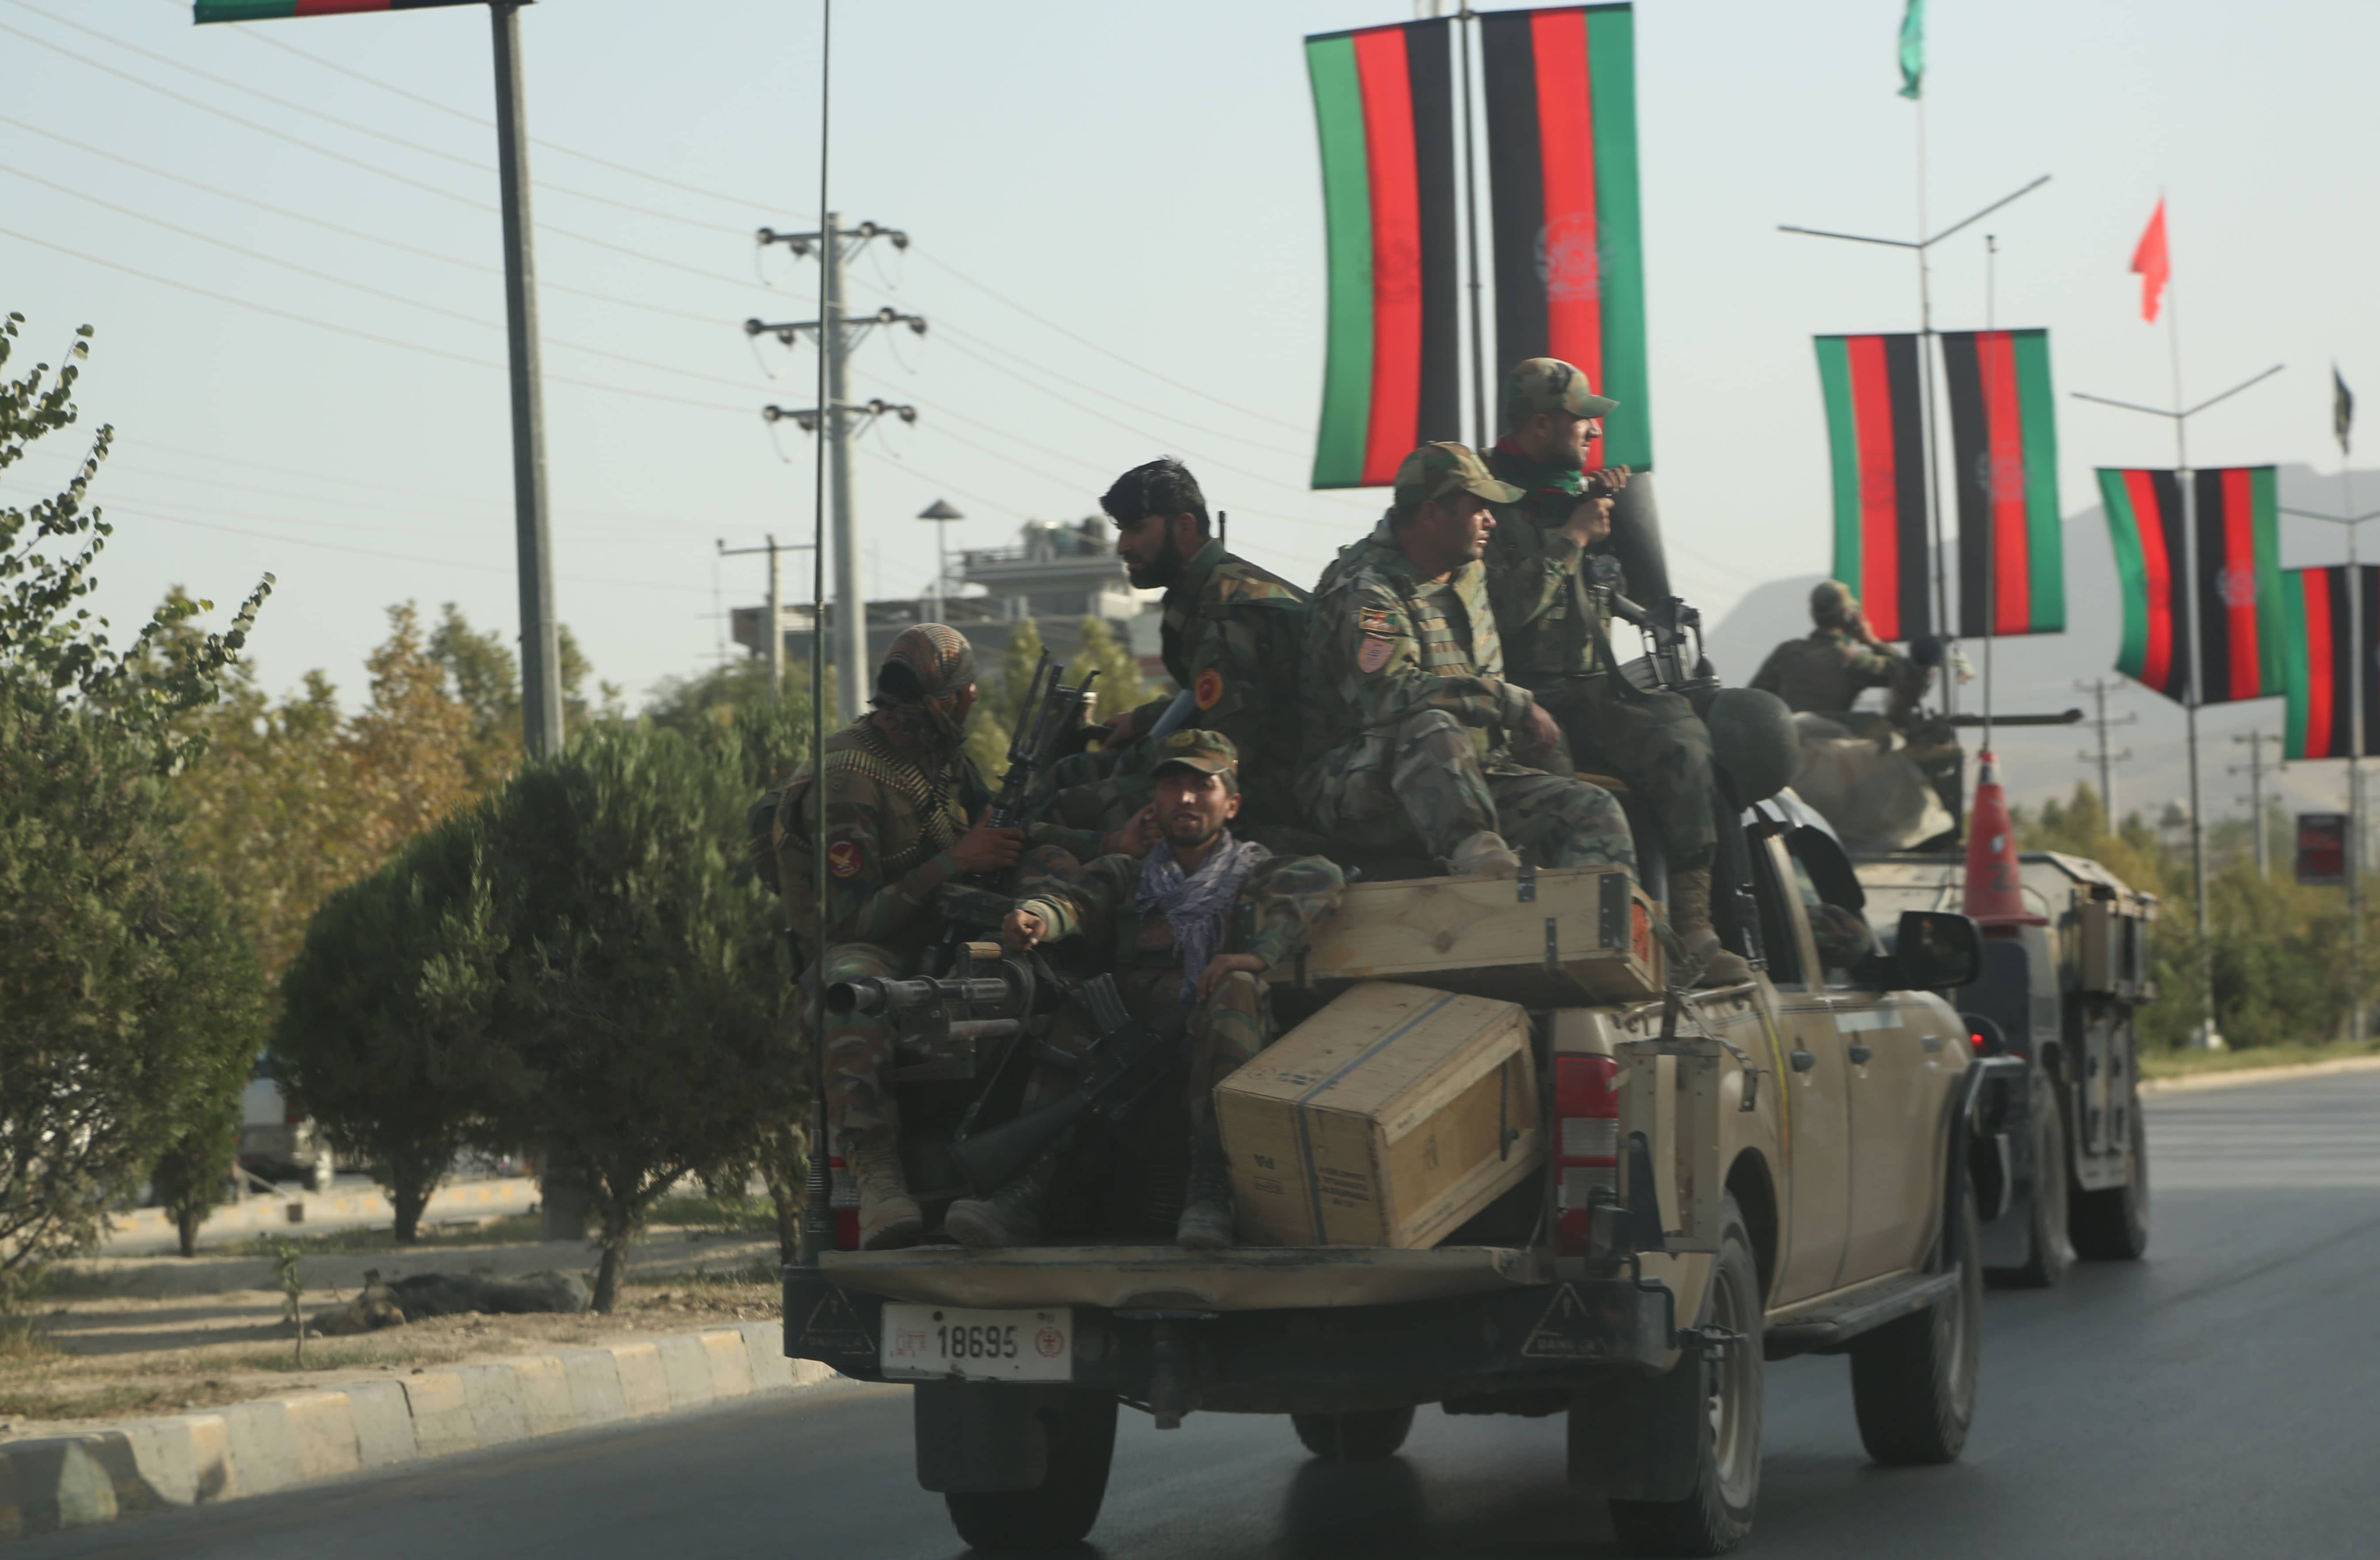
[(1229, 630)]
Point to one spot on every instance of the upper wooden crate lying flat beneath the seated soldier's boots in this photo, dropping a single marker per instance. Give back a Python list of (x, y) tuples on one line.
[(1546, 940)]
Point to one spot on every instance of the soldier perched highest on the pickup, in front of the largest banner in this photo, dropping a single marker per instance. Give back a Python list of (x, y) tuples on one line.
[(1551, 582)]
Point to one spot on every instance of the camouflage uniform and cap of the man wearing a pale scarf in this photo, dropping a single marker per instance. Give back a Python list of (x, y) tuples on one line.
[(1279, 909)]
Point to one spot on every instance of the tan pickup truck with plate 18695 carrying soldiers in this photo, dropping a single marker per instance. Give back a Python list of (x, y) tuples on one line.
[(1715, 1180)]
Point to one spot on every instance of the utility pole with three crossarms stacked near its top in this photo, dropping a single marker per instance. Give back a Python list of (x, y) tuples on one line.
[(837, 335)]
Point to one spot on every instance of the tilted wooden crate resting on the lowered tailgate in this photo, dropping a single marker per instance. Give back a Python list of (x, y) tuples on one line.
[(1389, 1118)]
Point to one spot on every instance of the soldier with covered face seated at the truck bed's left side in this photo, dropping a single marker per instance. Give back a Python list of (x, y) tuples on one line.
[(898, 806)]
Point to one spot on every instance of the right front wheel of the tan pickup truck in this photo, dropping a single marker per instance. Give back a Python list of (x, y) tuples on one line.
[(1915, 1380)]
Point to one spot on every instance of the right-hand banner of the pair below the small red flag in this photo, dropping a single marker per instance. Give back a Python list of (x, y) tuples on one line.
[(2241, 630)]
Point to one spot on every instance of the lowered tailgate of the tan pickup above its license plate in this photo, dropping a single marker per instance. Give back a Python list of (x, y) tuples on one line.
[(1165, 1278)]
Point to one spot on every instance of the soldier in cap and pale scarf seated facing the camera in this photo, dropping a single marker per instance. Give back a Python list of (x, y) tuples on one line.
[(1194, 932)]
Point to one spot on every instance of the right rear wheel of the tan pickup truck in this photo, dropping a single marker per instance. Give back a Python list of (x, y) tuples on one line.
[(1717, 1514)]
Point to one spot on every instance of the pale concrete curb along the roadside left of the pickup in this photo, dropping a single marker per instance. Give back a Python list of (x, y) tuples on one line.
[(256, 1449)]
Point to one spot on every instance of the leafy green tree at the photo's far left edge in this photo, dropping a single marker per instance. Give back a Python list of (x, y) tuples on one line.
[(130, 992)]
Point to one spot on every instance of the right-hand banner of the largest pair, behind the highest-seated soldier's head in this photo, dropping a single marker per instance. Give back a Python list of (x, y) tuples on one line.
[(1570, 239)]
